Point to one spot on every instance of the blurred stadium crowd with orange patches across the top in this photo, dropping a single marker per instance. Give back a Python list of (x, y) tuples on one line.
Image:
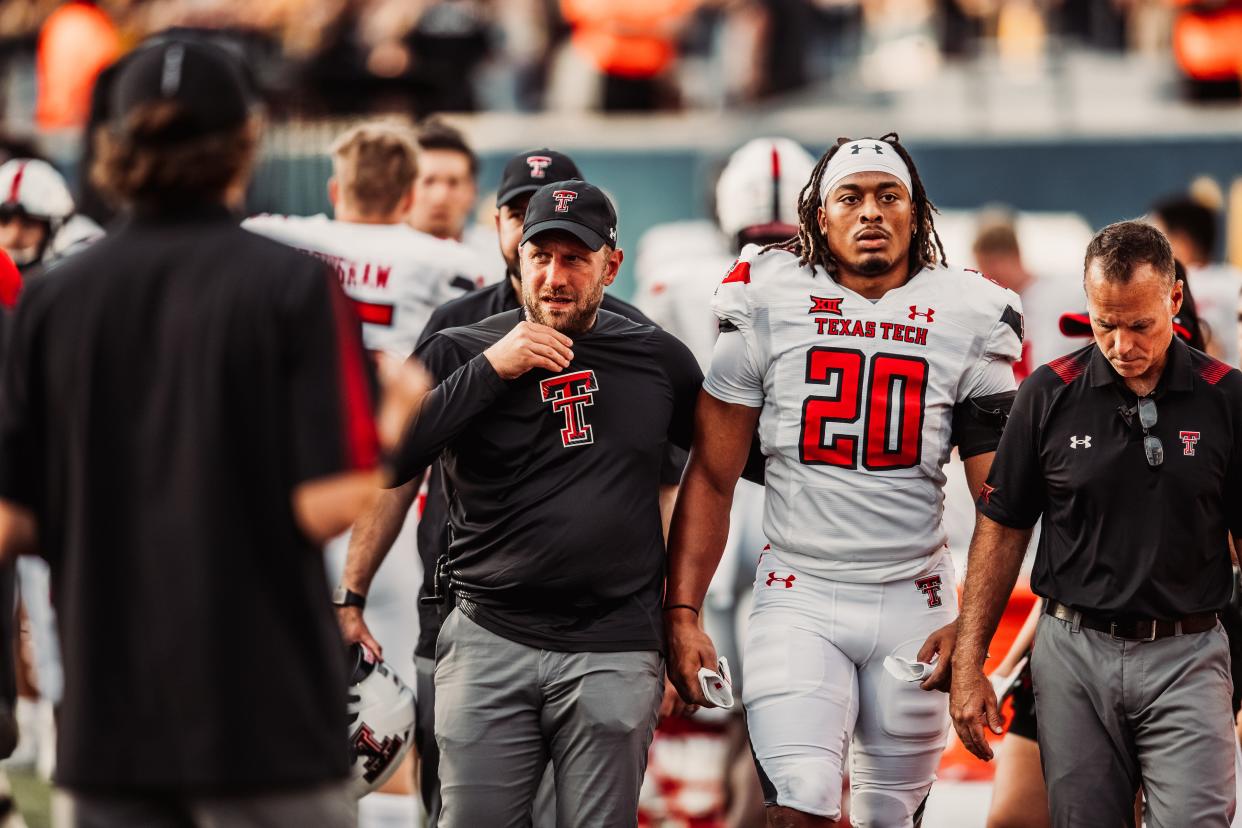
[(316, 58)]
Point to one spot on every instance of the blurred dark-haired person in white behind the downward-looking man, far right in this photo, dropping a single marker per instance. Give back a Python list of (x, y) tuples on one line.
[(1193, 232)]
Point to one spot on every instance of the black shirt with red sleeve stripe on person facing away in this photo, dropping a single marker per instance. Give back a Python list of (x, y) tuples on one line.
[(166, 392)]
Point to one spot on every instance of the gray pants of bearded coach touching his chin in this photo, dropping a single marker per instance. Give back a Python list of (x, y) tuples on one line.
[(505, 709)]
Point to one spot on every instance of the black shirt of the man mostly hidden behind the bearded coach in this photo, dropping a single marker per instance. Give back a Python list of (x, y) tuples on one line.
[(433, 532)]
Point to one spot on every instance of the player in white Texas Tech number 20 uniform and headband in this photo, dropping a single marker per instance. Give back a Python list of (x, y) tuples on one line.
[(864, 359)]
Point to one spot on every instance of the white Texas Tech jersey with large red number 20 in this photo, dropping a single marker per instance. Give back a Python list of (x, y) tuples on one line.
[(858, 403)]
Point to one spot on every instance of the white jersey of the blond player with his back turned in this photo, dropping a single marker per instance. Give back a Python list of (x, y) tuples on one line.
[(396, 275)]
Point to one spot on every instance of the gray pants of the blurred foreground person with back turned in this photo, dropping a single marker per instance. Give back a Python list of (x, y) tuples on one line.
[(332, 806)]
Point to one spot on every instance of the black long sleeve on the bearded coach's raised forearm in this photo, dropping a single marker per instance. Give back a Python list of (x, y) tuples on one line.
[(448, 410)]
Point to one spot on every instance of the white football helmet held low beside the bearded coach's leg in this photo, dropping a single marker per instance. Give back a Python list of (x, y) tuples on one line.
[(381, 721)]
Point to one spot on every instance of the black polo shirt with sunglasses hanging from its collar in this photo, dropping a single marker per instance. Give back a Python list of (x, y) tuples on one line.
[(1120, 538)]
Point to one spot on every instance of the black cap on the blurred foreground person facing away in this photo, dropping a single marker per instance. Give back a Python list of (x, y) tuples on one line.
[(206, 80)]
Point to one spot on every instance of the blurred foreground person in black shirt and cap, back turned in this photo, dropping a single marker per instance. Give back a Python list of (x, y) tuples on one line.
[(183, 479)]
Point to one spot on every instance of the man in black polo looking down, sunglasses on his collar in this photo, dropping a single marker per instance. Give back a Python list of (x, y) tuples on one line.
[(1132, 452)]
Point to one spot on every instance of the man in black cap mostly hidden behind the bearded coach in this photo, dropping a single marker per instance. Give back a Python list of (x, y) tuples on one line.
[(377, 531)]
